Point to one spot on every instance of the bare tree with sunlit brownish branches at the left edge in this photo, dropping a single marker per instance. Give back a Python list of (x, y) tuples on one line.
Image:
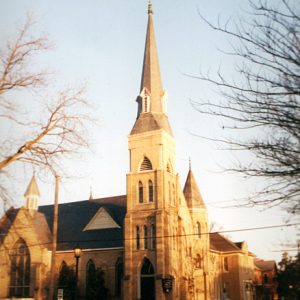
[(43, 132)]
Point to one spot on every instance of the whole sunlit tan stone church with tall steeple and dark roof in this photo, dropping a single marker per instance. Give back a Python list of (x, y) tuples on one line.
[(152, 243)]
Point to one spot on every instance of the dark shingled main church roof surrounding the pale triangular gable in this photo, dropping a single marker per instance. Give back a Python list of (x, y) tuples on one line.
[(74, 216)]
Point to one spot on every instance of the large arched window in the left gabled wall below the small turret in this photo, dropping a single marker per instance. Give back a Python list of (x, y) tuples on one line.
[(20, 271)]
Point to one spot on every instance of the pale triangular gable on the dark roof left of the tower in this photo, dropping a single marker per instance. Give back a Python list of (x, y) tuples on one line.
[(101, 220)]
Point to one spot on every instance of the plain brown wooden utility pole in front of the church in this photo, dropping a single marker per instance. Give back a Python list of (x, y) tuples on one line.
[(54, 239)]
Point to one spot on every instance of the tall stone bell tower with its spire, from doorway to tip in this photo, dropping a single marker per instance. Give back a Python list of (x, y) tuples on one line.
[(152, 201)]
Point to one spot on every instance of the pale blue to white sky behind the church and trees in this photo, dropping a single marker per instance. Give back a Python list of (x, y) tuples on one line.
[(100, 43)]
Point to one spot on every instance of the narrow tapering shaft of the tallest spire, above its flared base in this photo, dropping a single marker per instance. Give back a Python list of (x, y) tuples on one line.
[(151, 80)]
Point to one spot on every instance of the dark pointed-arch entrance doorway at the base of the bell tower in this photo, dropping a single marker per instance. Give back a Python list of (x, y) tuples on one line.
[(147, 280)]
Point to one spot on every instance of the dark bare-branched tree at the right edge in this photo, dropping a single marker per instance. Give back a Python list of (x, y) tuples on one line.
[(265, 99)]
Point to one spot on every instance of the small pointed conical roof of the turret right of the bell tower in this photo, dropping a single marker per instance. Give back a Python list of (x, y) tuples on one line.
[(192, 193)]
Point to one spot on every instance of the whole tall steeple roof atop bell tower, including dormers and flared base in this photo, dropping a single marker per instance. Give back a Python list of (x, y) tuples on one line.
[(152, 97)]
